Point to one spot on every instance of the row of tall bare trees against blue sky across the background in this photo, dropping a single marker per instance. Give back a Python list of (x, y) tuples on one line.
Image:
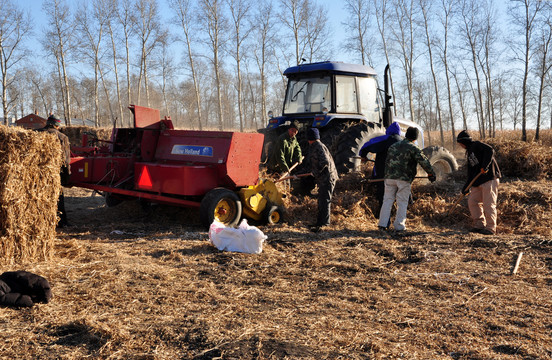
[(218, 64)]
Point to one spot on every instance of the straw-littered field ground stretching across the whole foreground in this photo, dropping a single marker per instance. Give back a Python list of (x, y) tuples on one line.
[(147, 284)]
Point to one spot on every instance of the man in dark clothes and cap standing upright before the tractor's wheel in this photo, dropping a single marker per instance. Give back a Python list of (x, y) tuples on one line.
[(325, 175)]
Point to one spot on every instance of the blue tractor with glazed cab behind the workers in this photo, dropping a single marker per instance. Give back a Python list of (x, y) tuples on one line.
[(344, 102)]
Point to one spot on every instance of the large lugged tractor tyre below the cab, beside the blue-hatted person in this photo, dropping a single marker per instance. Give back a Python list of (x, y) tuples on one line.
[(348, 144)]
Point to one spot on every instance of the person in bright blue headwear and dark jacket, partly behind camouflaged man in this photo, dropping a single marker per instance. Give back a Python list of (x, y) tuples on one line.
[(379, 145)]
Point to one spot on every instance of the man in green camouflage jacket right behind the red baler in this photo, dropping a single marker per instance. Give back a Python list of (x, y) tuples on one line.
[(286, 151)]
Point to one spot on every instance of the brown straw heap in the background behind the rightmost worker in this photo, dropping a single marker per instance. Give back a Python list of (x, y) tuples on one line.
[(523, 160)]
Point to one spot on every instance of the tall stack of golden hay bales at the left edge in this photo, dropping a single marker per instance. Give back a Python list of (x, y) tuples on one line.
[(30, 164)]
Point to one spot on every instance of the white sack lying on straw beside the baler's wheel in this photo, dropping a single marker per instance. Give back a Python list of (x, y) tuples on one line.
[(245, 238)]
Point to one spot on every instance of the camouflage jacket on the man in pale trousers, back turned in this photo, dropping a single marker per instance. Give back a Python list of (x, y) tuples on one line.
[(402, 160)]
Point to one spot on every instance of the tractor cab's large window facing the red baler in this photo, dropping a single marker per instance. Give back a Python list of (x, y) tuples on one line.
[(308, 95)]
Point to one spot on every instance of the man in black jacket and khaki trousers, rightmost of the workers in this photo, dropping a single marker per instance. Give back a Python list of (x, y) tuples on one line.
[(483, 196)]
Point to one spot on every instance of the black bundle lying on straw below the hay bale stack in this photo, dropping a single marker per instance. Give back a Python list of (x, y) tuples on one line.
[(23, 289)]
